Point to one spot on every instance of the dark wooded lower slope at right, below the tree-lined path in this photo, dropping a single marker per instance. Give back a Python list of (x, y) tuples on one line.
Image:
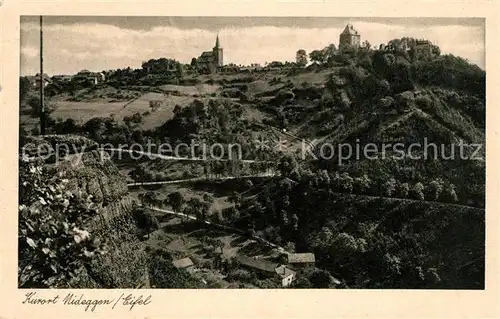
[(371, 241)]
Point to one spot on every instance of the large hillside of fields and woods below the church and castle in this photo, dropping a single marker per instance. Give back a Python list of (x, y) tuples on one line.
[(393, 218)]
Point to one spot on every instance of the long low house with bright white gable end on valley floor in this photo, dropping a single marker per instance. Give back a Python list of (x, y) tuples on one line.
[(279, 273)]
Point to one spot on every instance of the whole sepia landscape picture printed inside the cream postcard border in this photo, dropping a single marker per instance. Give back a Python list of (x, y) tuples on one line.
[(260, 152)]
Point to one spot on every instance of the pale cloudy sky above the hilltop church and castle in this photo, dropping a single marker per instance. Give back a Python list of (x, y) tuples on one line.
[(96, 43)]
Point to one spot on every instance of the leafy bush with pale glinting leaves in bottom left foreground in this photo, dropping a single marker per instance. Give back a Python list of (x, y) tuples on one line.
[(53, 242)]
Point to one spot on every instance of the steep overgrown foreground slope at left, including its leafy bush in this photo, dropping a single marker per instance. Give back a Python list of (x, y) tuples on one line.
[(79, 227)]
